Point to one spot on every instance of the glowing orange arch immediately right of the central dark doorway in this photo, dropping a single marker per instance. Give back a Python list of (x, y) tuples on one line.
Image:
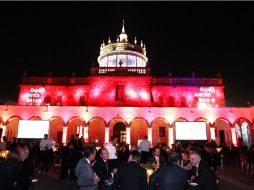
[(138, 129)]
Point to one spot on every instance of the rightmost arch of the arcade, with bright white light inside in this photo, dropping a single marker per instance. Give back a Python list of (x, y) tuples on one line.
[(243, 130)]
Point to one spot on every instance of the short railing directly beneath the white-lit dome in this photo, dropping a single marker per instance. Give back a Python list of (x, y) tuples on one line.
[(120, 71)]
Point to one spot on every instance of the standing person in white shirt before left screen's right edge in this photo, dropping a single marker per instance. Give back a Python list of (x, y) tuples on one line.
[(45, 152)]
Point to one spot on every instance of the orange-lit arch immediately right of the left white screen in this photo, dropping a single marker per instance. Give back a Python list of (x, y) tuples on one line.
[(56, 128)]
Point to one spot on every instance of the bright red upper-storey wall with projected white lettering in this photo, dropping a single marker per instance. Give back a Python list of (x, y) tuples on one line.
[(122, 91)]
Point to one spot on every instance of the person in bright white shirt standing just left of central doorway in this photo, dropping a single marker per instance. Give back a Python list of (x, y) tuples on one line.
[(111, 147)]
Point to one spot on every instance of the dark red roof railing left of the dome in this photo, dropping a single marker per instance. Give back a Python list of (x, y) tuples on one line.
[(54, 80)]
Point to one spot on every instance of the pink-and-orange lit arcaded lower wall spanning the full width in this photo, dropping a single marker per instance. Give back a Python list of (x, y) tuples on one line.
[(138, 119)]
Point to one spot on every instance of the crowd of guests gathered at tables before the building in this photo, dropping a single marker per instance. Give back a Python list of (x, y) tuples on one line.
[(117, 166)]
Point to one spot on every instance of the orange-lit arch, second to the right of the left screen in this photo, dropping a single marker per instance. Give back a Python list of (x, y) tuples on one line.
[(72, 125)]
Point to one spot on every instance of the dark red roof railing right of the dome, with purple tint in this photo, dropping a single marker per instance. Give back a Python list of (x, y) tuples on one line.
[(187, 81)]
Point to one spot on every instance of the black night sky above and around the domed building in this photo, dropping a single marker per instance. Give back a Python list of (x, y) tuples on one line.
[(181, 37)]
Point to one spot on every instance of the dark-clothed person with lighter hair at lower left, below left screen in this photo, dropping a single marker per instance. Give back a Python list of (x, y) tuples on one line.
[(27, 169)]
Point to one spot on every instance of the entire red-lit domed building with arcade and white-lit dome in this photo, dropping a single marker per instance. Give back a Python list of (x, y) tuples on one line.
[(121, 98)]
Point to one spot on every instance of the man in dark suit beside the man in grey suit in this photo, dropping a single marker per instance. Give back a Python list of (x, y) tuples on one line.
[(100, 167)]
